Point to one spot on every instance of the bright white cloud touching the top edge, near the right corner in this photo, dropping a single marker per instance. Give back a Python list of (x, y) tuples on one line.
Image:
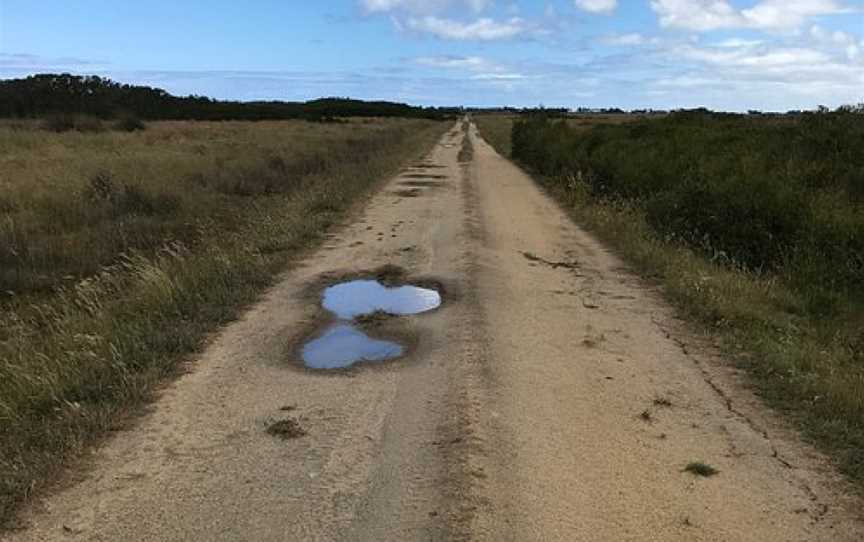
[(705, 15)]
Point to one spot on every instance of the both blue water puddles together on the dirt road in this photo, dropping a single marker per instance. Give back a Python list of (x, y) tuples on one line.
[(343, 344)]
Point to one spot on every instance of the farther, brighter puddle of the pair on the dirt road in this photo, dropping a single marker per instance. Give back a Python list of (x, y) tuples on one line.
[(351, 299)]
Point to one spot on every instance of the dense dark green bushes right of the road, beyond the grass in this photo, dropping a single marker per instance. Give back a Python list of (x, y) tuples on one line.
[(770, 194)]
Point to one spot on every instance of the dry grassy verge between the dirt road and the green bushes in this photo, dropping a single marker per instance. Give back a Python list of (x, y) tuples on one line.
[(803, 357)]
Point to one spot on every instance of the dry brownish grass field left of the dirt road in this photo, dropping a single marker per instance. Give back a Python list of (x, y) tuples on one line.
[(121, 251)]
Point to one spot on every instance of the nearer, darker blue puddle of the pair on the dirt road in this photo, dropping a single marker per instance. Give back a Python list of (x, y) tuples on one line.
[(343, 345)]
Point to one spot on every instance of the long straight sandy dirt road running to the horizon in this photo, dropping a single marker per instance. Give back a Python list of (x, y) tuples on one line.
[(517, 415)]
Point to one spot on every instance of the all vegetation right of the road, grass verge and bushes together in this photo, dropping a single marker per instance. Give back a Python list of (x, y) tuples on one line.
[(754, 227)]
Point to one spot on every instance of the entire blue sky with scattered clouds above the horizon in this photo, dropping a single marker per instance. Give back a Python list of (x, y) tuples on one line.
[(734, 55)]
